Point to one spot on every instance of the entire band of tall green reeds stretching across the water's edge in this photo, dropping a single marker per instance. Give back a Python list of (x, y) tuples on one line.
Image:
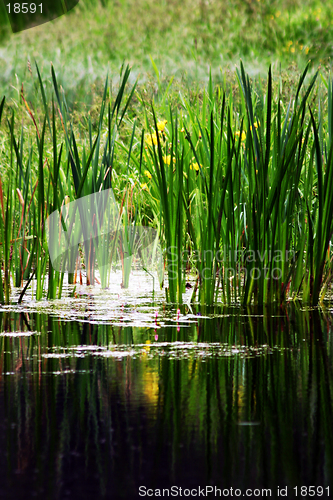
[(240, 194)]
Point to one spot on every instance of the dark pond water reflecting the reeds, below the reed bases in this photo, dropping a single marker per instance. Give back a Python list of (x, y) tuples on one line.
[(91, 411)]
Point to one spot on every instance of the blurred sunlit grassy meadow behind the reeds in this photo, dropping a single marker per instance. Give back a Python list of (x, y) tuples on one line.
[(183, 38)]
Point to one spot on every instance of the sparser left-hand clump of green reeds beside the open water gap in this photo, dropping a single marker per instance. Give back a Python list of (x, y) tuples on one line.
[(66, 172)]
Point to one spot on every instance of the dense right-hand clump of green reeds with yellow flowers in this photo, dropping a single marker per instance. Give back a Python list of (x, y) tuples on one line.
[(244, 198)]
